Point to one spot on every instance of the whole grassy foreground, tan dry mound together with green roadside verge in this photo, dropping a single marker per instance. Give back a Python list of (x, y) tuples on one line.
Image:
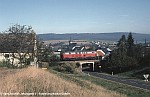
[(38, 80)]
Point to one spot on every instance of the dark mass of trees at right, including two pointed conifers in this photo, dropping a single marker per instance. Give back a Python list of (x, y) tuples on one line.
[(128, 55)]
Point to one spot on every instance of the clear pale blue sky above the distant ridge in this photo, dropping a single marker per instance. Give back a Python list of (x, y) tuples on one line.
[(77, 16)]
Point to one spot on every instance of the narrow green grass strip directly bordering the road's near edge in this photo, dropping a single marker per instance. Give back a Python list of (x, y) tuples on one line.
[(120, 88)]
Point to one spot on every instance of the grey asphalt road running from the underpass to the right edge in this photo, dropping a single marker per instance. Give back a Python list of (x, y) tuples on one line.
[(131, 82)]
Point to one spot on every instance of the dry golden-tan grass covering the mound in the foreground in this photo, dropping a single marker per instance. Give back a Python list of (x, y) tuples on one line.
[(32, 80)]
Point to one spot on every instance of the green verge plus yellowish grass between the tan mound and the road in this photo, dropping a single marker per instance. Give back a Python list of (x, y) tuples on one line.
[(81, 80)]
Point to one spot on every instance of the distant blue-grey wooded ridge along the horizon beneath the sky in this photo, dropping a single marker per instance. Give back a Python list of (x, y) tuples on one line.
[(93, 36)]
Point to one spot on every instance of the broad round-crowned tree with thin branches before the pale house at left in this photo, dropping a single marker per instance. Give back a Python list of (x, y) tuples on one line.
[(19, 41)]
